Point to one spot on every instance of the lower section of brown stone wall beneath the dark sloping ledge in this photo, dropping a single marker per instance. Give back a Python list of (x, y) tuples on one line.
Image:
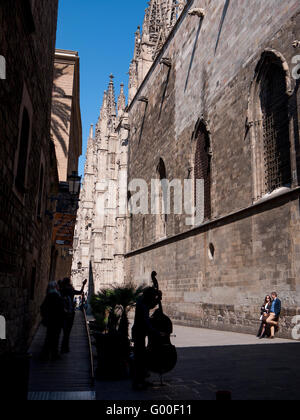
[(226, 292)]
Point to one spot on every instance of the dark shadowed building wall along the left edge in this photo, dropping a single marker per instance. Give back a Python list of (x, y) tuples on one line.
[(25, 236)]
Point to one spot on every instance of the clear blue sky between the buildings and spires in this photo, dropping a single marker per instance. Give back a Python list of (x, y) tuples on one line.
[(103, 33)]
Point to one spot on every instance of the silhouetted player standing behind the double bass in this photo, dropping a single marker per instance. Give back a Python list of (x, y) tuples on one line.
[(143, 328)]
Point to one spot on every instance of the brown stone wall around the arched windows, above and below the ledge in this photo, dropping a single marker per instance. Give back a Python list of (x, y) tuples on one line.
[(213, 64)]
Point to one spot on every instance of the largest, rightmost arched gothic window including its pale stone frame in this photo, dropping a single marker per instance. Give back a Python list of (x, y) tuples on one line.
[(269, 125)]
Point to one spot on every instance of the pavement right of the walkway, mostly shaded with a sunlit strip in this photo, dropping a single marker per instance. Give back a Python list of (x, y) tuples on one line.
[(210, 361)]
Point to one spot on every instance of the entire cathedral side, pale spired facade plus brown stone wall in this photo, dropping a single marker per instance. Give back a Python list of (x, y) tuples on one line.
[(213, 97)]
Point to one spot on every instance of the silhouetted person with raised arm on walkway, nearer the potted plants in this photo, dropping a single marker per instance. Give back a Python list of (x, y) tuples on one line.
[(68, 294)]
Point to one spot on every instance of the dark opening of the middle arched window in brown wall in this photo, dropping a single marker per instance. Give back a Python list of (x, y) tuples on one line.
[(203, 170)]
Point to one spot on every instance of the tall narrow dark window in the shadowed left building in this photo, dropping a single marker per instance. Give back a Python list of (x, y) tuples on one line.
[(23, 152)]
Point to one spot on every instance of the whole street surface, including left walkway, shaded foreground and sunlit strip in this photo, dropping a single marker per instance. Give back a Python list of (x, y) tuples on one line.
[(208, 361)]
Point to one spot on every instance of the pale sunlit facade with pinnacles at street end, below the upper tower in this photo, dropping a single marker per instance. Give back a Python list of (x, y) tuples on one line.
[(100, 232)]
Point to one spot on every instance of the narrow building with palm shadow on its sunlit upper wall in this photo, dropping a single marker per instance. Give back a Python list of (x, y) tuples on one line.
[(66, 129)]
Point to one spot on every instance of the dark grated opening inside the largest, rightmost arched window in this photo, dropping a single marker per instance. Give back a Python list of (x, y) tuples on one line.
[(274, 102)]
